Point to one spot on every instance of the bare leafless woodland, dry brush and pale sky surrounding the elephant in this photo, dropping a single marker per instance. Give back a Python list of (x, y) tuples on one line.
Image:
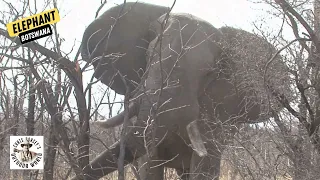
[(43, 92)]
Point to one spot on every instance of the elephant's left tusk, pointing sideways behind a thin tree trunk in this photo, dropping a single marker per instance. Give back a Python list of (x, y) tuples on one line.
[(118, 119)]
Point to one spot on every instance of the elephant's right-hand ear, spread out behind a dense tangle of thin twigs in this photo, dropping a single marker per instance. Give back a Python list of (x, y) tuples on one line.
[(249, 54)]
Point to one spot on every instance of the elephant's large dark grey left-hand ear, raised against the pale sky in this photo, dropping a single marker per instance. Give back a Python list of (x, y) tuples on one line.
[(125, 33)]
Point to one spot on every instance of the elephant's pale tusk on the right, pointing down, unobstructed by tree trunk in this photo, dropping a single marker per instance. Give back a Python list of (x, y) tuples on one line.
[(196, 140)]
